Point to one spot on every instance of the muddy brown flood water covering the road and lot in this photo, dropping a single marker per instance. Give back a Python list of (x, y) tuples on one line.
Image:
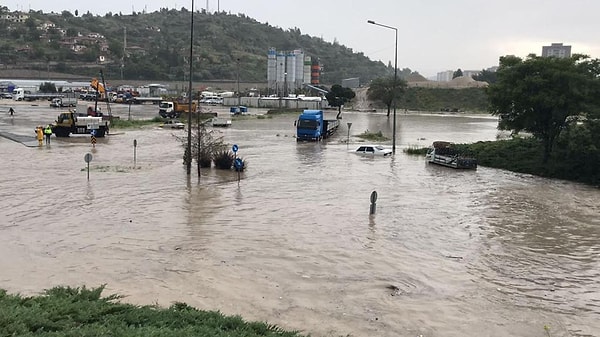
[(447, 253)]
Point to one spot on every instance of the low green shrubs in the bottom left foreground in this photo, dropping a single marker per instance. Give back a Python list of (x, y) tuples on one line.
[(65, 311)]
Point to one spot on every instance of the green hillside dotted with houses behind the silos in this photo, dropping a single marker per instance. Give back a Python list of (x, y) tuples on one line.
[(155, 46)]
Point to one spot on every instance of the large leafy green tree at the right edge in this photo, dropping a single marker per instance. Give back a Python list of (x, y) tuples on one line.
[(542, 95)]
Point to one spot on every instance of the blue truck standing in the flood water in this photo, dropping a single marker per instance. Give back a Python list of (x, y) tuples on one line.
[(312, 126)]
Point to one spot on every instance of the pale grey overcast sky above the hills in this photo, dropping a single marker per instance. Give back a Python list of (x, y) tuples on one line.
[(433, 35)]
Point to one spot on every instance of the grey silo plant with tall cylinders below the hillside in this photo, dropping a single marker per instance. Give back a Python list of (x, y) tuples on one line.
[(288, 71)]
